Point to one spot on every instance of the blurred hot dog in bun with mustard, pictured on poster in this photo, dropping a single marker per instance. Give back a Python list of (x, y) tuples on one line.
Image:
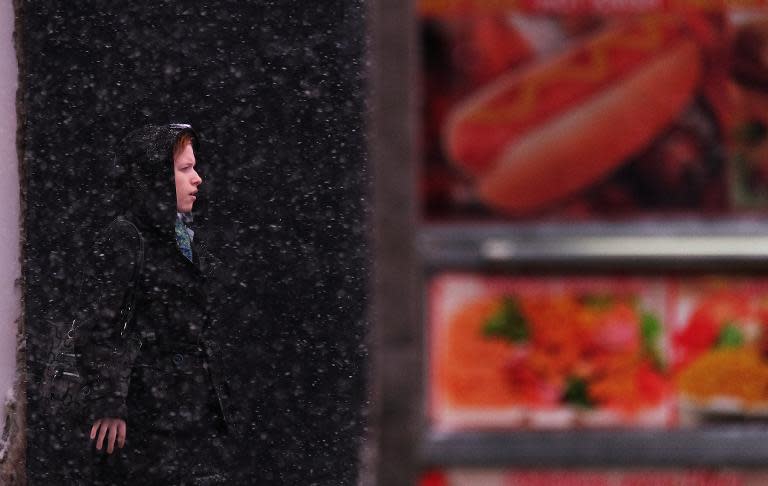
[(541, 133)]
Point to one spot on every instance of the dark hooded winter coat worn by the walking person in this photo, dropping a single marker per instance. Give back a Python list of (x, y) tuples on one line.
[(168, 371)]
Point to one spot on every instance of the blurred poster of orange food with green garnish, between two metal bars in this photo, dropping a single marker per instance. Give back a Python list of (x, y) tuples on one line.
[(599, 351)]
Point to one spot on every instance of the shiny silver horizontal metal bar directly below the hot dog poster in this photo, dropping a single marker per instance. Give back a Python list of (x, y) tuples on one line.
[(725, 245)]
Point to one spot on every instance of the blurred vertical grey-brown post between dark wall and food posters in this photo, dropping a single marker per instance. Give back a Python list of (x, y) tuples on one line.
[(395, 415)]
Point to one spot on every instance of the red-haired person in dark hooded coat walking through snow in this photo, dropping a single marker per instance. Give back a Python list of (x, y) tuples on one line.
[(160, 405)]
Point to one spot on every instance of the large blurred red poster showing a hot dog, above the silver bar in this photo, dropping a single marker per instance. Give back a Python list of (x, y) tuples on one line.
[(616, 110)]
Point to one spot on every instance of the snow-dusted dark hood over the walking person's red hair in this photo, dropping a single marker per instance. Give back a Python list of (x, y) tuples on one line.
[(145, 190)]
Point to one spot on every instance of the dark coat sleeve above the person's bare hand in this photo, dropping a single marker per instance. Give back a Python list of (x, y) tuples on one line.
[(104, 357)]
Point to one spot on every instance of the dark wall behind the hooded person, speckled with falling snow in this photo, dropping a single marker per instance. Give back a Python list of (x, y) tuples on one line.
[(276, 90)]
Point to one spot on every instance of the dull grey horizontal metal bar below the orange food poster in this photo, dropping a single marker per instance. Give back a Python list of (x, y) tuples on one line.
[(722, 446)]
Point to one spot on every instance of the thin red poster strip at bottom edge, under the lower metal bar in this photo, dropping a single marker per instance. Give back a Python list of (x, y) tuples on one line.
[(679, 477)]
